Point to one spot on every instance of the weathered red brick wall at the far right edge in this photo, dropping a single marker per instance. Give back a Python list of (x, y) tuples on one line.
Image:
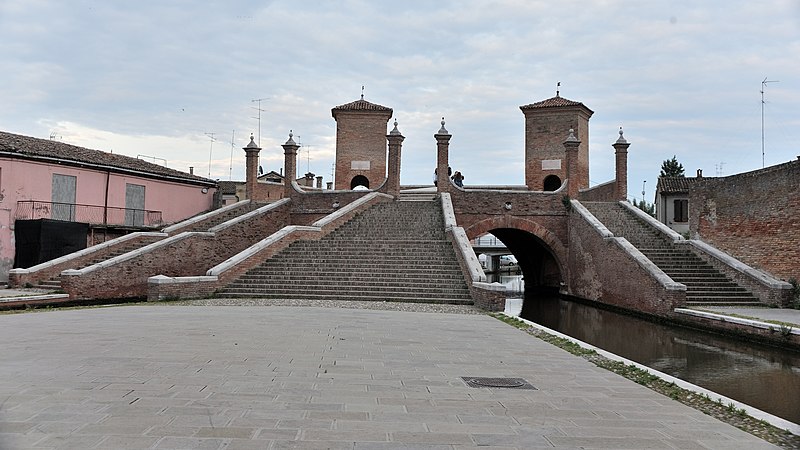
[(752, 216)]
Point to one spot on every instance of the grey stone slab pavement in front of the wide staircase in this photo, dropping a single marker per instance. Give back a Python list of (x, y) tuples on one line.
[(219, 377)]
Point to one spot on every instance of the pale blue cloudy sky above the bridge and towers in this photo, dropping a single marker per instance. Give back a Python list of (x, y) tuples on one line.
[(157, 77)]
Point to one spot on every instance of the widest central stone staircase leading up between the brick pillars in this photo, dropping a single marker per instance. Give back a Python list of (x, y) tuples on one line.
[(394, 251)]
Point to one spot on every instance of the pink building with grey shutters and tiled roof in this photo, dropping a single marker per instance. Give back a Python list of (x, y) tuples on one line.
[(56, 192)]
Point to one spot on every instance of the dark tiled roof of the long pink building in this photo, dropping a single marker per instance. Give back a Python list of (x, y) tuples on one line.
[(26, 146)]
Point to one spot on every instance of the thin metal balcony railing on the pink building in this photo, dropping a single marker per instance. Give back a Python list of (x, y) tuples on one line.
[(91, 214)]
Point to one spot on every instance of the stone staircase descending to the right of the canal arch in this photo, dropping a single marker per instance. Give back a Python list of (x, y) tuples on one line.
[(705, 285)]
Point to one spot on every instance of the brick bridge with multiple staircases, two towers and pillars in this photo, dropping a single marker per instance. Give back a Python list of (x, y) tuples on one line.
[(585, 242)]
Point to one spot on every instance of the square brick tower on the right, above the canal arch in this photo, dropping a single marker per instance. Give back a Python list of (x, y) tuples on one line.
[(547, 124)]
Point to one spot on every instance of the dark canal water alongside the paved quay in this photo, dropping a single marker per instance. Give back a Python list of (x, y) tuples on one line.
[(763, 377)]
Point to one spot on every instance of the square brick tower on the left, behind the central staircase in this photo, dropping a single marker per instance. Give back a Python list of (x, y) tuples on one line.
[(360, 144)]
